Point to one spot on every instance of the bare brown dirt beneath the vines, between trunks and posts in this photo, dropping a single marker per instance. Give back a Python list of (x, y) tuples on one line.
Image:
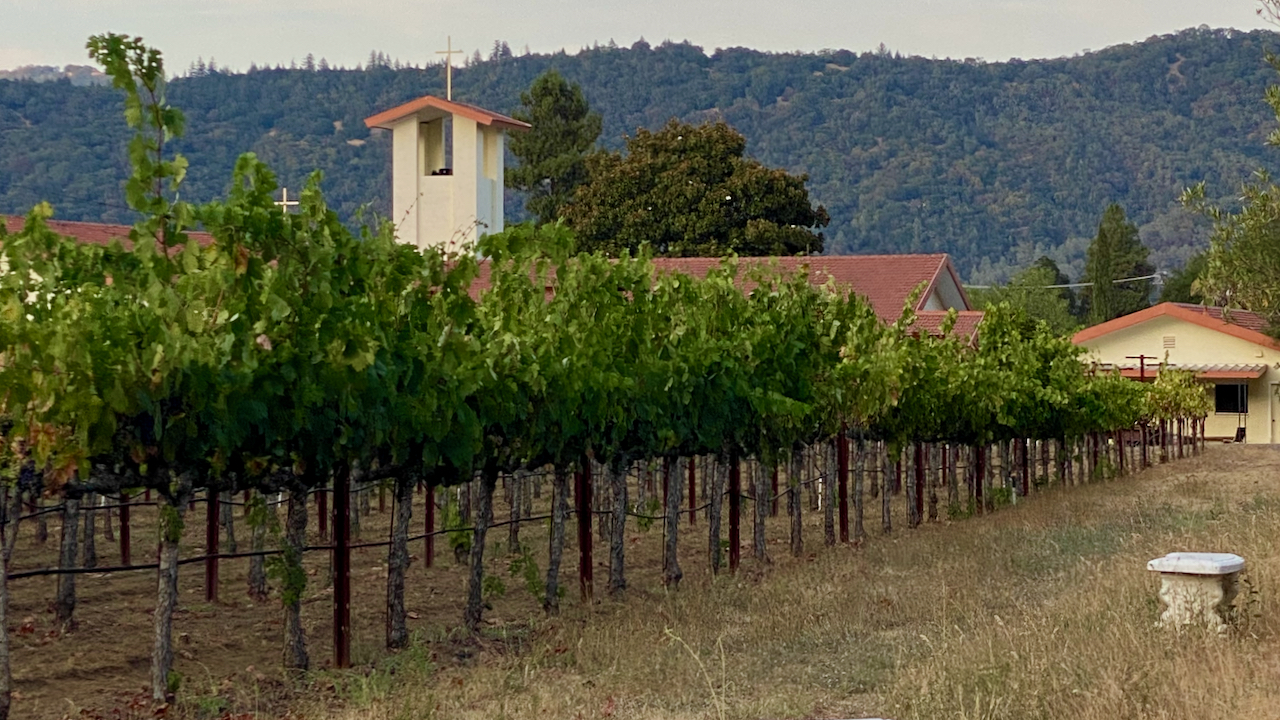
[(230, 653)]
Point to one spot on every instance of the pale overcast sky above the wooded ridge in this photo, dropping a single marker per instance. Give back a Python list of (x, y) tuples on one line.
[(236, 33)]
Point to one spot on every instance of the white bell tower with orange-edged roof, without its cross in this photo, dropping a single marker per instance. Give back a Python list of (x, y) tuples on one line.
[(438, 203)]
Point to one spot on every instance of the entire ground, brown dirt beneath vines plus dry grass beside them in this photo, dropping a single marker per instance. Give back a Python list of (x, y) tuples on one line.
[(1040, 610)]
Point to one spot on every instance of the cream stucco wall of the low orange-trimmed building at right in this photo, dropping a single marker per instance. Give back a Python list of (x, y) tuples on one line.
[(1199, 345)]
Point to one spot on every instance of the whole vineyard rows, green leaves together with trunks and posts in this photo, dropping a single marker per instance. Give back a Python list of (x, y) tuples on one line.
[(291, 371)]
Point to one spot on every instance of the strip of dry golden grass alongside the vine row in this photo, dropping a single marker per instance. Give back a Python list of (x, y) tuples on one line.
[(1043, 610)]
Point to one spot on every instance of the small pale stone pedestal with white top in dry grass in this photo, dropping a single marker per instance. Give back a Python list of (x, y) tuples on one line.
[(1197, 587)]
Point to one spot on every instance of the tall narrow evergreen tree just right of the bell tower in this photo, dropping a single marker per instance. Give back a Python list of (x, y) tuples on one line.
[(554, 154)]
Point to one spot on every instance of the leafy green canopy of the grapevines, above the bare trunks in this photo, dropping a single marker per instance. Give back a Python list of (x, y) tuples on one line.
[(291, 345)]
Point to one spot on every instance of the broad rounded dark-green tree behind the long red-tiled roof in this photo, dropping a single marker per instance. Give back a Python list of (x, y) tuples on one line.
[(691, 192)]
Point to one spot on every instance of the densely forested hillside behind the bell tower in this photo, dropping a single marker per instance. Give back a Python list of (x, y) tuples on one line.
[(996, 163)]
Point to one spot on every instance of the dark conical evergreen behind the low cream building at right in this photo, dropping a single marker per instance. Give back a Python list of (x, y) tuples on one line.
[(1116, 254)]
